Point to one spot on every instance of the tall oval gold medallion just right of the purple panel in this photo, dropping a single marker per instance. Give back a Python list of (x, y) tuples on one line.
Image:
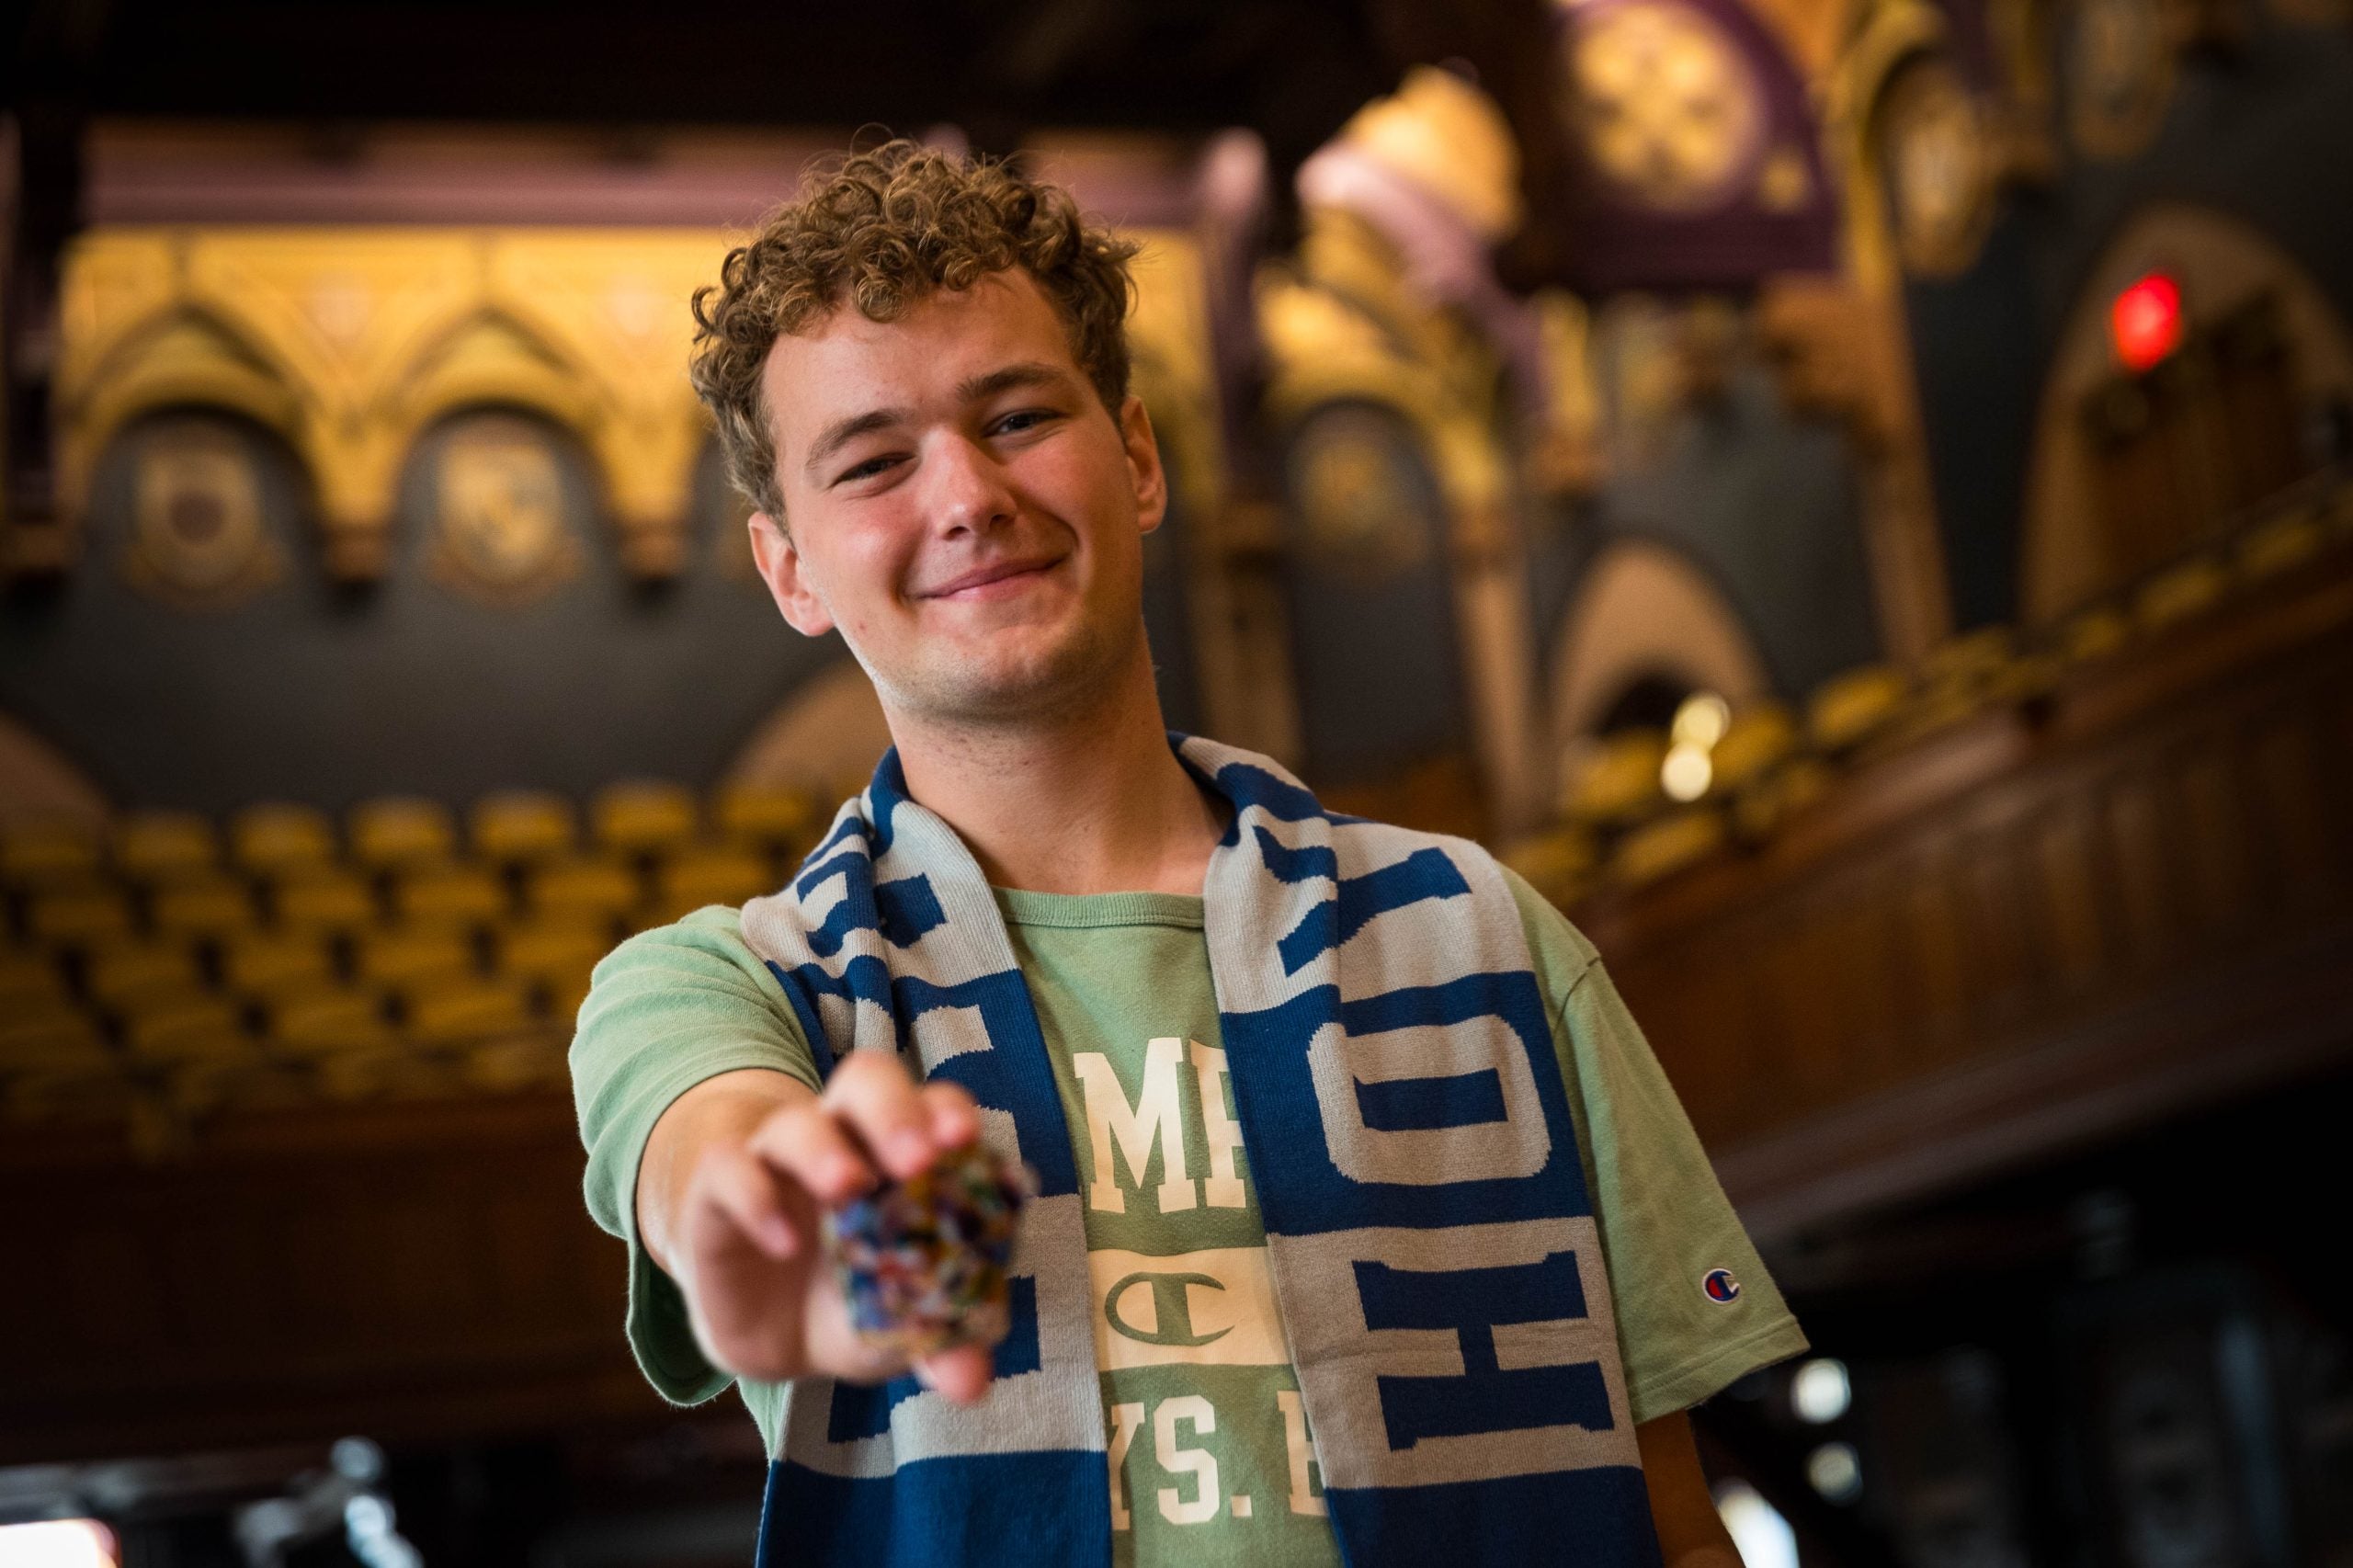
[(1938, 159)]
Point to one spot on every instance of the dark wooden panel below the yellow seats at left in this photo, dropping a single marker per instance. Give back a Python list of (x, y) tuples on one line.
[(298, 1277)]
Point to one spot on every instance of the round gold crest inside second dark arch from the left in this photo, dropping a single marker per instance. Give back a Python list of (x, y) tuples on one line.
[(498, 505)]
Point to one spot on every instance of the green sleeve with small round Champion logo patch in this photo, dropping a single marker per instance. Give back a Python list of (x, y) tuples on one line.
[(1695, 1305)]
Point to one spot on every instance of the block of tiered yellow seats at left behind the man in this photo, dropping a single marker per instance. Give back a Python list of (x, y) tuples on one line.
[(281, 955)]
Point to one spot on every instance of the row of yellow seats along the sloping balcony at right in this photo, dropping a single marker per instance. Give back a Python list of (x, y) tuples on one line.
[(1632, 811)]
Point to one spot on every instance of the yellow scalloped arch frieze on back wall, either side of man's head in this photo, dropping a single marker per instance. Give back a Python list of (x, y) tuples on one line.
[(352, 343)]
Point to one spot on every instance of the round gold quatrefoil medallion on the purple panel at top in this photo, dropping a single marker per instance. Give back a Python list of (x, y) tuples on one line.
[(1667, 105)]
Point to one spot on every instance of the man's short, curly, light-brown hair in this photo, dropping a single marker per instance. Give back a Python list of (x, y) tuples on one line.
[(884, 230)]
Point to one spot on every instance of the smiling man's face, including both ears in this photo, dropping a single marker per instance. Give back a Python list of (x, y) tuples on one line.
[(961, 505)]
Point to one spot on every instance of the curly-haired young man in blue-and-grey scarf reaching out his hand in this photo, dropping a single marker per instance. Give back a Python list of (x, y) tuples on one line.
[(1368, 1228)]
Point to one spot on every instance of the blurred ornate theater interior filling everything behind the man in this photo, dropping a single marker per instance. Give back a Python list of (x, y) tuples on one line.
[(1853, 498)]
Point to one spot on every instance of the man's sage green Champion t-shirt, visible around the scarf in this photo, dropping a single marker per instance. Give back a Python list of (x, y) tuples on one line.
[(1211, 1456)]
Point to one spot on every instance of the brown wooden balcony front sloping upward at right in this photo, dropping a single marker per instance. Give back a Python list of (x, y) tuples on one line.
[(2025, 934)]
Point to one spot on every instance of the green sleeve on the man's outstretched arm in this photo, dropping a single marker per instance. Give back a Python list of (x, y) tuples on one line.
[(667, 1011)]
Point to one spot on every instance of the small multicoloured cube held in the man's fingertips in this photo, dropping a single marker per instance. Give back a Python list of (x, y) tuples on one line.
[(924, 1261)]
